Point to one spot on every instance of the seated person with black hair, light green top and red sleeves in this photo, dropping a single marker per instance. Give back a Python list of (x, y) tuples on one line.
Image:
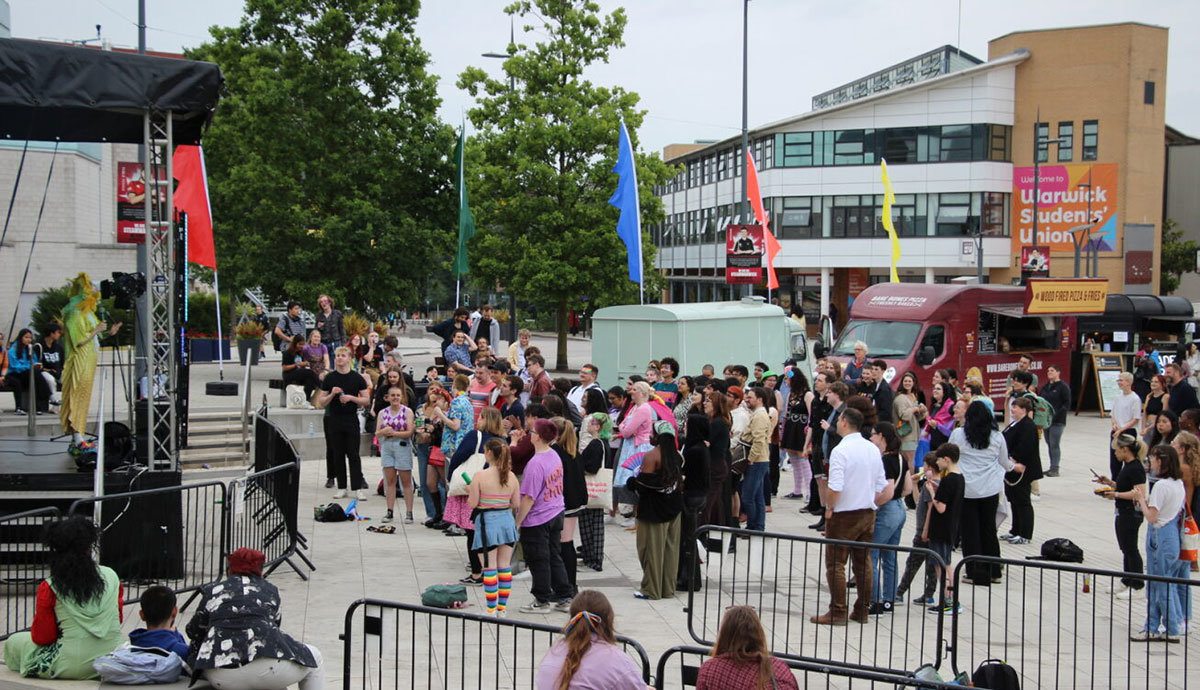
[(79, 613)]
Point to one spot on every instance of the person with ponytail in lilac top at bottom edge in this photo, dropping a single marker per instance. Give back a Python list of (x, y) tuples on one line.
[(589, 656)]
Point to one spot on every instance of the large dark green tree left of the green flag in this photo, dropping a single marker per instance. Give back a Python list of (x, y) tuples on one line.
[(328, 169)]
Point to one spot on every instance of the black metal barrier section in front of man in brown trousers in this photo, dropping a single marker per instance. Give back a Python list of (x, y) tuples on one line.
[(784, 578)]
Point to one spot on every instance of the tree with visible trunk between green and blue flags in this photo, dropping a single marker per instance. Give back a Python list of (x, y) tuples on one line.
[(541, 167)]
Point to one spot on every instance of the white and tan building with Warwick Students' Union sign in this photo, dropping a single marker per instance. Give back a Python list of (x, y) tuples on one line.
[(957, 135)]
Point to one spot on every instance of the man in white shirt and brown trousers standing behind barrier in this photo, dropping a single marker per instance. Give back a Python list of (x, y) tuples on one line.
[(856, 483)]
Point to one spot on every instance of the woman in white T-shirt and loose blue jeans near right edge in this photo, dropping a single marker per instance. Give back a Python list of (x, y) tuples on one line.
[(1166, 604)]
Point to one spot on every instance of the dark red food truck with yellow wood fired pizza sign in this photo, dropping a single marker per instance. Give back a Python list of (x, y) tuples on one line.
[(980, 332)]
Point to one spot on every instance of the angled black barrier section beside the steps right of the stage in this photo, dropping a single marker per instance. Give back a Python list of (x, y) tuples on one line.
[(259, 517)]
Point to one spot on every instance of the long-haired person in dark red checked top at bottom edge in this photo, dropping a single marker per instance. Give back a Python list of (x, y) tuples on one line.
[(741, 657)]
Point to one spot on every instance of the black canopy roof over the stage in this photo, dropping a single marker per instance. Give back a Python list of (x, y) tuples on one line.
[(52, 92)]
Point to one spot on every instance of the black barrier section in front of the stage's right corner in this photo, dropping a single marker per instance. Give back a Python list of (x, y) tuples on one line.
[(175, 536)]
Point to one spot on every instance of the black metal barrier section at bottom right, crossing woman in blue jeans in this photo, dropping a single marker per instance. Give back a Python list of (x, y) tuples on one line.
[(1064, 626)]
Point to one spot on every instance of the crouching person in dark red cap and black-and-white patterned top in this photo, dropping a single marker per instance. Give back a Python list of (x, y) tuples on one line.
[(236, 634)]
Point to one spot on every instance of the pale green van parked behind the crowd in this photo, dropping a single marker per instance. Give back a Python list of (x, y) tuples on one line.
[(627, 338)]
